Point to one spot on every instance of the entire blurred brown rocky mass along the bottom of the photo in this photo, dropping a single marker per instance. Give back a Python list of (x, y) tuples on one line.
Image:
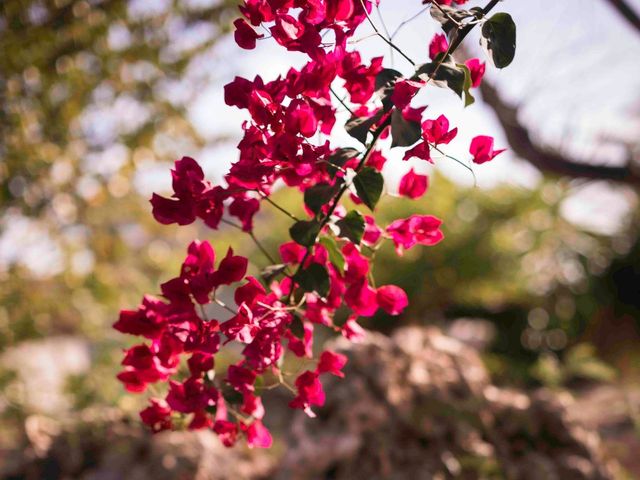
[(418, 405)]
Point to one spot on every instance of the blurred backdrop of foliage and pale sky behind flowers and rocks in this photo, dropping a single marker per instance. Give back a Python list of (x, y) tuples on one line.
[(540, 270)]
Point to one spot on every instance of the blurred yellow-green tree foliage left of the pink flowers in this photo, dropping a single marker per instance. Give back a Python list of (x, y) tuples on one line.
[(90, 91)]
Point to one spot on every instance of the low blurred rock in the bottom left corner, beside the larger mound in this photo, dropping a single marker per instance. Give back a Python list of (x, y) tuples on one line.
[(105, 446)]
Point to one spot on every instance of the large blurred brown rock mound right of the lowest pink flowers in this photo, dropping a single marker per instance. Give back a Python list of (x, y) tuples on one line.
[(420, 405)]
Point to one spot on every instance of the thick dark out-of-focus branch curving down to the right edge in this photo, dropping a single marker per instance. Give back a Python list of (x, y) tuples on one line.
[(545, 159)]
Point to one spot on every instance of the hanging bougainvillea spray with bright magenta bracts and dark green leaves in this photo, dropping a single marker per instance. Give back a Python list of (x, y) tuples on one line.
[(327, 264)]
